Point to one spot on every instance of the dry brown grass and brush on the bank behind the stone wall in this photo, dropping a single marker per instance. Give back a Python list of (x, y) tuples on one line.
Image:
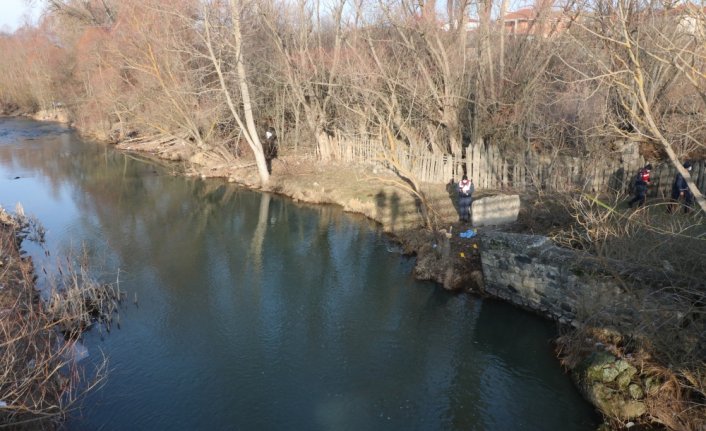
[(659, 259)]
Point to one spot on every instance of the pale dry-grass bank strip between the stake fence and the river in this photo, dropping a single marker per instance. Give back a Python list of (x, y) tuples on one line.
[(442, 255)]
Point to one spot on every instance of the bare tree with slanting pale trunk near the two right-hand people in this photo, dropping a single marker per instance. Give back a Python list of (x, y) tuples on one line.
[(644, 54)]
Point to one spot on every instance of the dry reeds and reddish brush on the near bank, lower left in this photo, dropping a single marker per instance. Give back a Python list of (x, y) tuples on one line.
[(40, 379)]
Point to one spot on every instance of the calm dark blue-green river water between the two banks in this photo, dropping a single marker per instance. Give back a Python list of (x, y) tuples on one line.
[(257, 313)]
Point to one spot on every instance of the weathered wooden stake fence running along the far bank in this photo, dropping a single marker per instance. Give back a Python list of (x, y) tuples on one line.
[(490, 170)]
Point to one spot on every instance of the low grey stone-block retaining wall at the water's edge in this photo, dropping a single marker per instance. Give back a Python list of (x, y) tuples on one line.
[(529, 271)]
